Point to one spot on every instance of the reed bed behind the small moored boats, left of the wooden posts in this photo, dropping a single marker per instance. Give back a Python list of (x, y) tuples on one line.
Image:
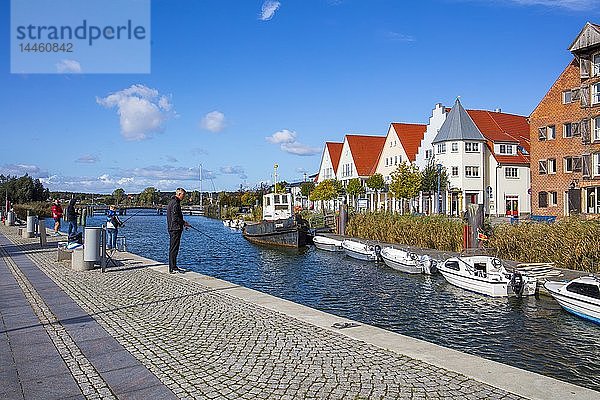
[(434, 232)]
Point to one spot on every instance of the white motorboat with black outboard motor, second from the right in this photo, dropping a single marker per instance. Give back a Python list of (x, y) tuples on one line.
[(486, 275)]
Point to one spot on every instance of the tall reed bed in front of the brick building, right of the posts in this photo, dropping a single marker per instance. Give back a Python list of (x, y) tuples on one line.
[(571, 243)]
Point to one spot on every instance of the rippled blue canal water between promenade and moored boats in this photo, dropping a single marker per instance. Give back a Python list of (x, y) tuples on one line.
[(529, 333)]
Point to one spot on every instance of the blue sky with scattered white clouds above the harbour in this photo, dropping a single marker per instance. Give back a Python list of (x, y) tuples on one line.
[(240, 85)]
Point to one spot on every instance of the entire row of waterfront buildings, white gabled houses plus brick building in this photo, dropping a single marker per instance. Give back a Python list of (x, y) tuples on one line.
[(546, 164)]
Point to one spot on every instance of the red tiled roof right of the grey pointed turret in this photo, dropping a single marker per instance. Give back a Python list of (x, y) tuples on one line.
[(502, 127)]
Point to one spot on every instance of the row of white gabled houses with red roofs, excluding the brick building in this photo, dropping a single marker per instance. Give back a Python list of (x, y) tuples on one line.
[(485, 154)]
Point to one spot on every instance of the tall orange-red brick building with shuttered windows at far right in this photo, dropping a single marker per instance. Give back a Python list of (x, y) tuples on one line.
[(565, 135)]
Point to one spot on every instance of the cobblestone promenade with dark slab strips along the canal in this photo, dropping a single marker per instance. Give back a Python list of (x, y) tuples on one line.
[(137, 332)]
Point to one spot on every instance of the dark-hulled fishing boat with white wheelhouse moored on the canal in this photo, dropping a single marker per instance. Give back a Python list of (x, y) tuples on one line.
[(279, 226)]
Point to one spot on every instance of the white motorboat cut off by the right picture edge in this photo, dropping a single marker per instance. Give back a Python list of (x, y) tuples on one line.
[(580, 296)]
